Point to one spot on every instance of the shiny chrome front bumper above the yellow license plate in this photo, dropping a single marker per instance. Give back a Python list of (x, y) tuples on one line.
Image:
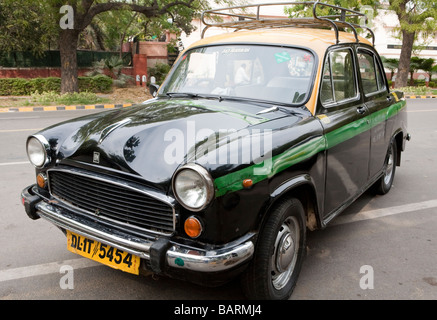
[(176, 255)]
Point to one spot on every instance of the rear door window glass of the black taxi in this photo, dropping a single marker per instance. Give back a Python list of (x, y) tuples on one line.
[(371, 74)]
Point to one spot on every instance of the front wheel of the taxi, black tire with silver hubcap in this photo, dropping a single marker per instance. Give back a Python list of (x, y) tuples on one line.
[(279, 254)]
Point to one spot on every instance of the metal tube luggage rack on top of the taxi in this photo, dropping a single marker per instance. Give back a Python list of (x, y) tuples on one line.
[(251, 21)]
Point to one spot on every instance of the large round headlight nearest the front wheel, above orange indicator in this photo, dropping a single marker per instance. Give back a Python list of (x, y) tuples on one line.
[(193, 187)]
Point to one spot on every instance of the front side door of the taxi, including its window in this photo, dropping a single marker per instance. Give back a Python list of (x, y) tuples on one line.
[(342, 113)]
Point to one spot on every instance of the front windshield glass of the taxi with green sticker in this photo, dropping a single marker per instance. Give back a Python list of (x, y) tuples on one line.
[(268, 73)]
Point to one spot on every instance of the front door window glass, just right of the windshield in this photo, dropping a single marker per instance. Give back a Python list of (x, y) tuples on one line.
[(338, 83)]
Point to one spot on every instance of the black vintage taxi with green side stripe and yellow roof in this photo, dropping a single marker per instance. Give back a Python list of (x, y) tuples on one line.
[(254, 138)]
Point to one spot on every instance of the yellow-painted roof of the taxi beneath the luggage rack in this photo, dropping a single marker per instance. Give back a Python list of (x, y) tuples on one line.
[(317, 40)]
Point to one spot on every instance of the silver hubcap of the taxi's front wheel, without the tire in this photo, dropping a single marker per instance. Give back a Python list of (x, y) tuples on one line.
[(285, 252)]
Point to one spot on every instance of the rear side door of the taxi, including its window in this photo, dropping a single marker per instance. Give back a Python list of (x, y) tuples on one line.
[(377, 99)]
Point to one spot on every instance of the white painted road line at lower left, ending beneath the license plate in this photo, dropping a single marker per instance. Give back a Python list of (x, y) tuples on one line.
[(46, 268)]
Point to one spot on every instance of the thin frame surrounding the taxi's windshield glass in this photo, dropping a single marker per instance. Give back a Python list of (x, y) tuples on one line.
[(312, 78)]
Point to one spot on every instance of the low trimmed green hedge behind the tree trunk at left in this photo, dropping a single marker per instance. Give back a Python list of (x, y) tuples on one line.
[(25, 87)]
